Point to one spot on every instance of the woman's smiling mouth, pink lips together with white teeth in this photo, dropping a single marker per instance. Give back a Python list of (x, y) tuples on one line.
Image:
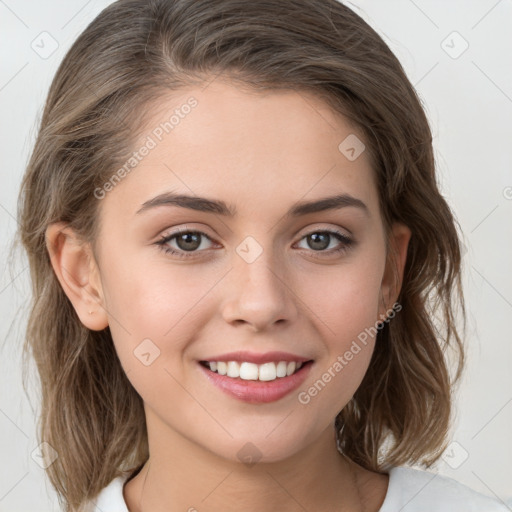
[(256, 382)]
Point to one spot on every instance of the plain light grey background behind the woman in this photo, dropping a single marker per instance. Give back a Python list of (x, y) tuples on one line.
[(468, 98)]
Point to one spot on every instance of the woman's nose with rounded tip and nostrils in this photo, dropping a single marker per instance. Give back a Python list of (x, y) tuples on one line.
[(260, 294)]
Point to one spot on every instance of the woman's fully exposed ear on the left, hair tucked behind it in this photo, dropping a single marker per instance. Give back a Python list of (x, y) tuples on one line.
[(77, 271)]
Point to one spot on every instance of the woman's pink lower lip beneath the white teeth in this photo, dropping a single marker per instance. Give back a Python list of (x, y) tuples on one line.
[(255, 391)]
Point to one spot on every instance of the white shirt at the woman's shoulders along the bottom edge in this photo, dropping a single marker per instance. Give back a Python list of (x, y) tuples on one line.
[(409, 490)]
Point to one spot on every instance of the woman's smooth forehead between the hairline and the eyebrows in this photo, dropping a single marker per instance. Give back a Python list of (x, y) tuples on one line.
[(250, 149)]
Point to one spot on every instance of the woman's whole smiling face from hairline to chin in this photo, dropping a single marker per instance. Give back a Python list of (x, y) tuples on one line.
[(182, 286)]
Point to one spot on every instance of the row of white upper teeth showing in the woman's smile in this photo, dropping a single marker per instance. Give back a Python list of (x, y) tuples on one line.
[(251, 371)]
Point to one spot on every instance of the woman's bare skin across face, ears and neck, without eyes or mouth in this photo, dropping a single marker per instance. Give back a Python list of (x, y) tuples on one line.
[(261, 154)]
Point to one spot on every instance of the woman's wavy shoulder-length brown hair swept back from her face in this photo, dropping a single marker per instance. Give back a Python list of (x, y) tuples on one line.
[(129, 56)]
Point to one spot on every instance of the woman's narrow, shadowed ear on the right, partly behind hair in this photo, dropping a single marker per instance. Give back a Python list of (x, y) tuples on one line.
[(392, 279)]
